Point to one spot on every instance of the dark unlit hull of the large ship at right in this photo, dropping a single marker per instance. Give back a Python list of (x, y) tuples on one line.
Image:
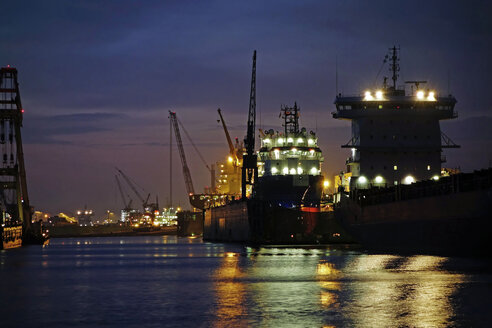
[(453, 224)]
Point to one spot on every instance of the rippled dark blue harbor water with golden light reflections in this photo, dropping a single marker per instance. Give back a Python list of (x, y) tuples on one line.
[(166, 281)]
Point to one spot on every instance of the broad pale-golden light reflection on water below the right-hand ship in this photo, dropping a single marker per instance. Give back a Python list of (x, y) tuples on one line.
[(394, 291)]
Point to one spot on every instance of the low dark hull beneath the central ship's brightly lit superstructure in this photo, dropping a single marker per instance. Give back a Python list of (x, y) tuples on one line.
[(259, 222)]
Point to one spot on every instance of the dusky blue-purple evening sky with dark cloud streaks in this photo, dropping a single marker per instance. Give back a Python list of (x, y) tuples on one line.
[(97, 80)]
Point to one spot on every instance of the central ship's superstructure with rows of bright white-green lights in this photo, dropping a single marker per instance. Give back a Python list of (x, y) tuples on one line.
[(289, 164)]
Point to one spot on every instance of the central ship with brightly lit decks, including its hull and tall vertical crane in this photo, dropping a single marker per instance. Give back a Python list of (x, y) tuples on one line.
[(281, 189)]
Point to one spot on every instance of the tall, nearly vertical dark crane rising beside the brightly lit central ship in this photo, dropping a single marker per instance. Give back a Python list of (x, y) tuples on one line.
[(250, 165)]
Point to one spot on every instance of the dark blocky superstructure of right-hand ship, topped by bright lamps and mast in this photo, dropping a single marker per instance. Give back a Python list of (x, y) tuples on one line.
[(396, 137)]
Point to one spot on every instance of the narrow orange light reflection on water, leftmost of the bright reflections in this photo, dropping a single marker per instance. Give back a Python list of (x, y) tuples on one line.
[(230, 292)]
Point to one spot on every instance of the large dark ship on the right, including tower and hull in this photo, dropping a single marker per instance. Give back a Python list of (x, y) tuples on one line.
[(396, 199)]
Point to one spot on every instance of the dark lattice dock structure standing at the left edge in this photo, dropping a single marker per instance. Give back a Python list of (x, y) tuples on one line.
[(14, 198)]
